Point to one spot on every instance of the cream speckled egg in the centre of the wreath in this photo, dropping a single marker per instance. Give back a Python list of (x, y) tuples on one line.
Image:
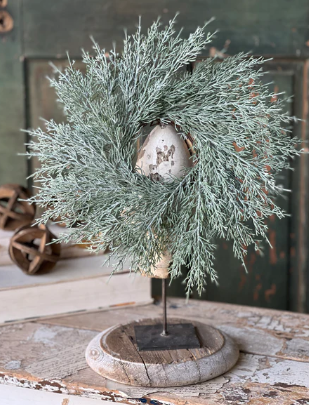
[(164, 153)]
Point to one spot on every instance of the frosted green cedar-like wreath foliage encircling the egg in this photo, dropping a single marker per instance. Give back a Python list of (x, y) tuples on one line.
[(241, 141)]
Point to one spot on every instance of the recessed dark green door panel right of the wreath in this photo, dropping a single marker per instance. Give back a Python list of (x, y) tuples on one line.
[(266, 282)]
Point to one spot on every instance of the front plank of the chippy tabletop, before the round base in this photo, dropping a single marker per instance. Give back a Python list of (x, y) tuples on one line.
[(240, 385)]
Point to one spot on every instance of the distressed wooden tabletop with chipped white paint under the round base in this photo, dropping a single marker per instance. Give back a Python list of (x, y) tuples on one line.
[(42, 362)]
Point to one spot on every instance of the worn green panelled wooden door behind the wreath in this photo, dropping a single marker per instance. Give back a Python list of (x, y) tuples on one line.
[(44, 31)]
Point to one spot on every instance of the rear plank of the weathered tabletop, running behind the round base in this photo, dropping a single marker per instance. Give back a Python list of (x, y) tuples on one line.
[(256, 331)]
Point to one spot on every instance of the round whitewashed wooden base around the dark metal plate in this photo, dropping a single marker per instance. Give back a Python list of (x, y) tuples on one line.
[(114, 355)]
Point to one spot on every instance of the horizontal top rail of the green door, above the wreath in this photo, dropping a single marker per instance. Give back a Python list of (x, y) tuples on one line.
[(274, 28)]
